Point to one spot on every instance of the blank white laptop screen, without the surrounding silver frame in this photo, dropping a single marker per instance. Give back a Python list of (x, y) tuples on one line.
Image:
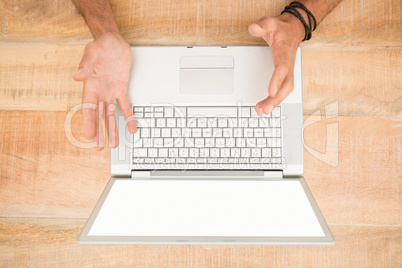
[(206, 208)]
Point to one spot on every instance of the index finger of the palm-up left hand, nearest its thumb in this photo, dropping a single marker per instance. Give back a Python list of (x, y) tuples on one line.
[(89, 109)]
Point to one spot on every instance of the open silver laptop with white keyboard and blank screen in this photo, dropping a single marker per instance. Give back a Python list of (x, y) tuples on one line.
[(203, 167)]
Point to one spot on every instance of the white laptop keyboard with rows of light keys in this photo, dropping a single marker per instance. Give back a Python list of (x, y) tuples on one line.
[(174, 137)]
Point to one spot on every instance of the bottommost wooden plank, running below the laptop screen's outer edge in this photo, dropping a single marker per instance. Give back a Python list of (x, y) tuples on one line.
[(52, 242)]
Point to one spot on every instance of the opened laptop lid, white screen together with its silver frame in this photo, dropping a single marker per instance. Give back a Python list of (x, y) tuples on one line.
[(210, 210)]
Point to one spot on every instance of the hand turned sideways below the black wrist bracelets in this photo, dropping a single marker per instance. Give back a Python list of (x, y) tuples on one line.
[(283, 34)]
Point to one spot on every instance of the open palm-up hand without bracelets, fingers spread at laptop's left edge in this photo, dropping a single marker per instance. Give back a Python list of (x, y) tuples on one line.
[(104, 69)]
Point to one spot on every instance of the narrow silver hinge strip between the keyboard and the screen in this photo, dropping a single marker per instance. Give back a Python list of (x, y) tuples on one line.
[(207, 173)]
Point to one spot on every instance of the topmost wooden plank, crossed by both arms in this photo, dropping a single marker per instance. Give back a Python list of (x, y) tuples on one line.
[(208, 22)]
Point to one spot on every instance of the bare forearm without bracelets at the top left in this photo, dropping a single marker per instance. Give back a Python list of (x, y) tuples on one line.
[(98, 16)]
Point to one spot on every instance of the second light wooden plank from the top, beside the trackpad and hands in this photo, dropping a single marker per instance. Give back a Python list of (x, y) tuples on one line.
[(365, 81)]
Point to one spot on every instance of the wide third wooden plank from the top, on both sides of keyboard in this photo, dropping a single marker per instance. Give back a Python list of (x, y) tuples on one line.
[(43, 175)]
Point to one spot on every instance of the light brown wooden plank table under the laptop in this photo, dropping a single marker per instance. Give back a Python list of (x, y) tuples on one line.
[(48, 187)]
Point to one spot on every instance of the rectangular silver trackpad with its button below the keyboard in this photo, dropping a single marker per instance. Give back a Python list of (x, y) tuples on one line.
[(206, 75)]
